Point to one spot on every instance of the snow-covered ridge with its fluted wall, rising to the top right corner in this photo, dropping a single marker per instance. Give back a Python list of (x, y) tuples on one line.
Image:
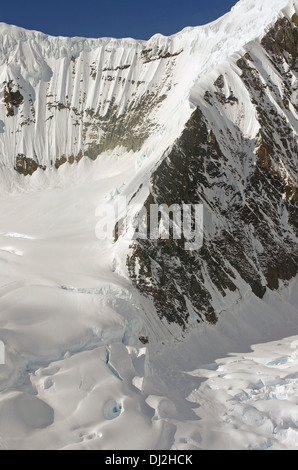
[(63, 98)]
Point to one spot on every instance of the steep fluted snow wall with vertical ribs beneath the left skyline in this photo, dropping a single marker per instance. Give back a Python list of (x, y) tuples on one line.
[(63, 98)]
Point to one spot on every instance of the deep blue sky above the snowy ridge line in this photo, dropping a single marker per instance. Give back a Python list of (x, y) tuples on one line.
[(98, 18)]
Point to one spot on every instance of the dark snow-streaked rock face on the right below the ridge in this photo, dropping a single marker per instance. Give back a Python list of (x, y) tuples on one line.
[(246, 238)]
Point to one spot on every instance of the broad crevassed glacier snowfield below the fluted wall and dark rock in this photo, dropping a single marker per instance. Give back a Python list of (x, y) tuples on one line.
[(76, 376)]
